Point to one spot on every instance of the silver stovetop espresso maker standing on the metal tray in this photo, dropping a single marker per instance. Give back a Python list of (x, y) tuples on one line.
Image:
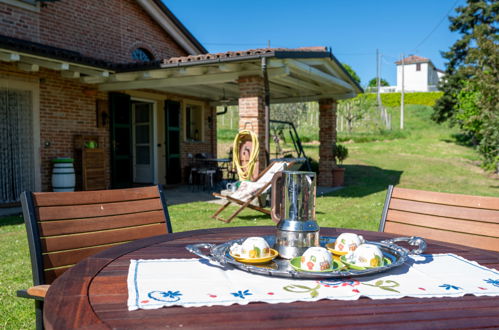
[(293, 208)]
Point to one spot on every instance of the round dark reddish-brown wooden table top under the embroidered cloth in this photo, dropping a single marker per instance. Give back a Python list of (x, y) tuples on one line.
[(94, 294)]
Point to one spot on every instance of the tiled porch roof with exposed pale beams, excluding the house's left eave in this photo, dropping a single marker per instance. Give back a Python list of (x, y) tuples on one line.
[(301, 74)]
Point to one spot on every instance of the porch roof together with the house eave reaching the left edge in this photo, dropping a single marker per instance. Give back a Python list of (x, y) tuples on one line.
[(295, 75)]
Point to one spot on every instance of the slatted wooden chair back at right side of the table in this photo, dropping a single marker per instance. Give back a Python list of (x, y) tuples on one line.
[(460, 219)]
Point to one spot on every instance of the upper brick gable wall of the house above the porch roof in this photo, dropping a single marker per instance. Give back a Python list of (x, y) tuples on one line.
[(107, 30)]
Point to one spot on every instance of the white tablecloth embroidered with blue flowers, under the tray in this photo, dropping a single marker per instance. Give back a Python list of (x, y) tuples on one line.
[(197, 282)]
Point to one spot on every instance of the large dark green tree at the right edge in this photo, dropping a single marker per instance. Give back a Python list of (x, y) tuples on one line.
[(470, 85)]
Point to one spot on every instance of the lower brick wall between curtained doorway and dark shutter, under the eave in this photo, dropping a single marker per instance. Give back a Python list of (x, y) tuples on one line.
[(66, 110)]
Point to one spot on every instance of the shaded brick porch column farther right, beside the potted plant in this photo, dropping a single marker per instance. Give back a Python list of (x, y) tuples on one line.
[(327, 136)]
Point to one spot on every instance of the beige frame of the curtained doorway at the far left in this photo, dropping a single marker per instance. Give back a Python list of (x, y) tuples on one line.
[(34, 88)]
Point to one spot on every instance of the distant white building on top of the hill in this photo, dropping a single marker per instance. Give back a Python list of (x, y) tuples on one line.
[(420, 75)]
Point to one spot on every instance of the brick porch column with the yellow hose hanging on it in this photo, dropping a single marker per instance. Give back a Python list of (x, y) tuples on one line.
[(252, 113)]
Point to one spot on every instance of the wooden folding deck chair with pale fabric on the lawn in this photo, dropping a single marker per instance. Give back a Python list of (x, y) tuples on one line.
[(249, 190)]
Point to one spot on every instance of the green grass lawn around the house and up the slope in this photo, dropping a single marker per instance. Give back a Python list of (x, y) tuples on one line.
[(423, 156)]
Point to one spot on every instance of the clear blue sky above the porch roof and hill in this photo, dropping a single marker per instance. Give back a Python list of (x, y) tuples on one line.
[(353, 29)]
